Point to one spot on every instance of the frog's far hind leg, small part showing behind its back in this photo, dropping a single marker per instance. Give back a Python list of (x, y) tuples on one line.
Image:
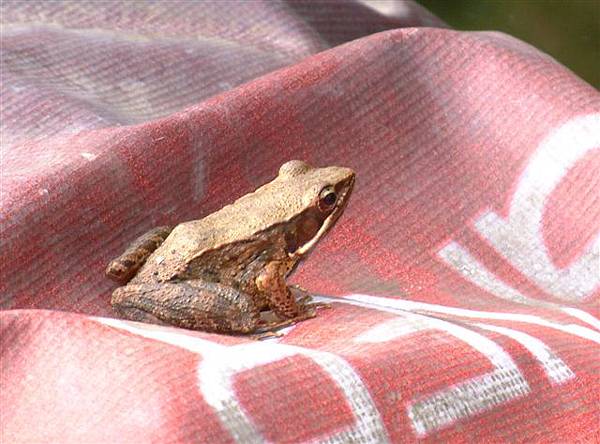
[(123, 268)]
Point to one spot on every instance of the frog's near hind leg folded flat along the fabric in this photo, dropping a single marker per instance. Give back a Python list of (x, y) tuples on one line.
[(193, 304)]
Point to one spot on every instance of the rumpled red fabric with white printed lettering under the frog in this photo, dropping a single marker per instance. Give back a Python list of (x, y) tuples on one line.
[(464, 275)]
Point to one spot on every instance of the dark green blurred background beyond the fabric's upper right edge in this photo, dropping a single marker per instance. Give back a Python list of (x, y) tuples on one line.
[(568, 30)]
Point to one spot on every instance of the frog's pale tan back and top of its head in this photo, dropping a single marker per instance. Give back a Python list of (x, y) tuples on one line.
[(251, 220)]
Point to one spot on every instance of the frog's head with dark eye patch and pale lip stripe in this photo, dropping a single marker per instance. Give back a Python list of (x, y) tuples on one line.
[(317, 198)]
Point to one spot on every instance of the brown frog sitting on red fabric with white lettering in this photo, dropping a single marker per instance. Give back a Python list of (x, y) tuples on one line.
[(223, 272)]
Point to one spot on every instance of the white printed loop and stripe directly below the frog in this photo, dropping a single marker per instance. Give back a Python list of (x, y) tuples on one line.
[(220, 363)]
